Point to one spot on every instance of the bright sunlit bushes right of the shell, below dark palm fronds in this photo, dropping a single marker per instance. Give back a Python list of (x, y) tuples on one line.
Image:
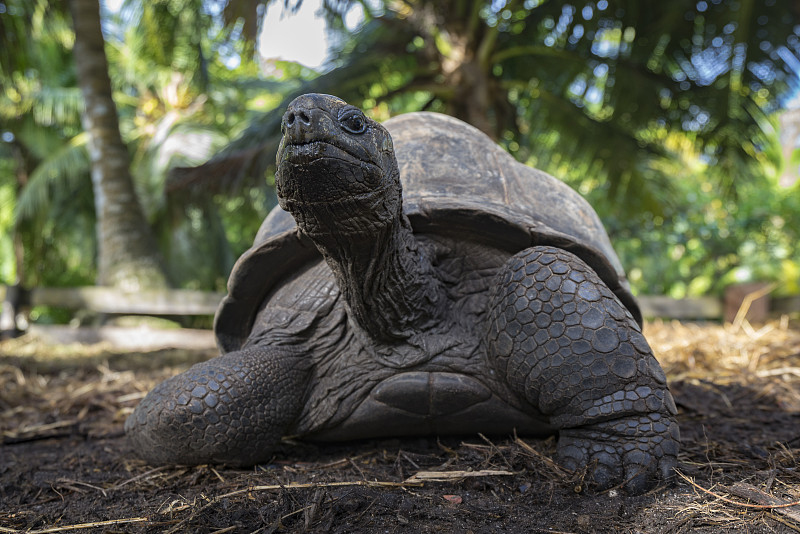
[(707, 241)]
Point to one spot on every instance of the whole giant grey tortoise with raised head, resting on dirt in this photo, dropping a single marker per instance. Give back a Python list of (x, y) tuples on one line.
[(422, 282)]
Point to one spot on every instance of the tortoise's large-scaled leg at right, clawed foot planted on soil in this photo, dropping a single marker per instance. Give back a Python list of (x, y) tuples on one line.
[(566, 345)]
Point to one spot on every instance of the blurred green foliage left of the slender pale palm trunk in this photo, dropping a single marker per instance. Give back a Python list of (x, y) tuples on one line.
[(40, 116)]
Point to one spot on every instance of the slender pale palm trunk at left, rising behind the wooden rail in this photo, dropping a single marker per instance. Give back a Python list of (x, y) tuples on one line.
[(127, 253)]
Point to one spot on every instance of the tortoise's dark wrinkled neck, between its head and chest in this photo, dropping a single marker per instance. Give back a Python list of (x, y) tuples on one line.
[(387, 280)]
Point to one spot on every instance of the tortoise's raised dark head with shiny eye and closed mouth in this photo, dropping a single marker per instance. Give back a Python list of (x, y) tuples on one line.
[(337, 173)]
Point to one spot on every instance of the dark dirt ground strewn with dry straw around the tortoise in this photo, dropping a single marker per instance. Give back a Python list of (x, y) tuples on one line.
[(65, 465)]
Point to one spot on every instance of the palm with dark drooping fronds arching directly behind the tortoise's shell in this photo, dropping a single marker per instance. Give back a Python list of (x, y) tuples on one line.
[(593, 88)]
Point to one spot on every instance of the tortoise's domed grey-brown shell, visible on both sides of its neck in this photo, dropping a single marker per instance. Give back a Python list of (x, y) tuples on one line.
[(456, 182)]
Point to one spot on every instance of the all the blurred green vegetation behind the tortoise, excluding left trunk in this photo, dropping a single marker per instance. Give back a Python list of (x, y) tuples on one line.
[(665, 115)]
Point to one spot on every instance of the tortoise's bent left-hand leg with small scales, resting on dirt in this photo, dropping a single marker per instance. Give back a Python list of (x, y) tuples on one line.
[(231, 409)]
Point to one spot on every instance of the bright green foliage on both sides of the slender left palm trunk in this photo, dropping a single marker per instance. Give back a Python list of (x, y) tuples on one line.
[(180, 97)]
